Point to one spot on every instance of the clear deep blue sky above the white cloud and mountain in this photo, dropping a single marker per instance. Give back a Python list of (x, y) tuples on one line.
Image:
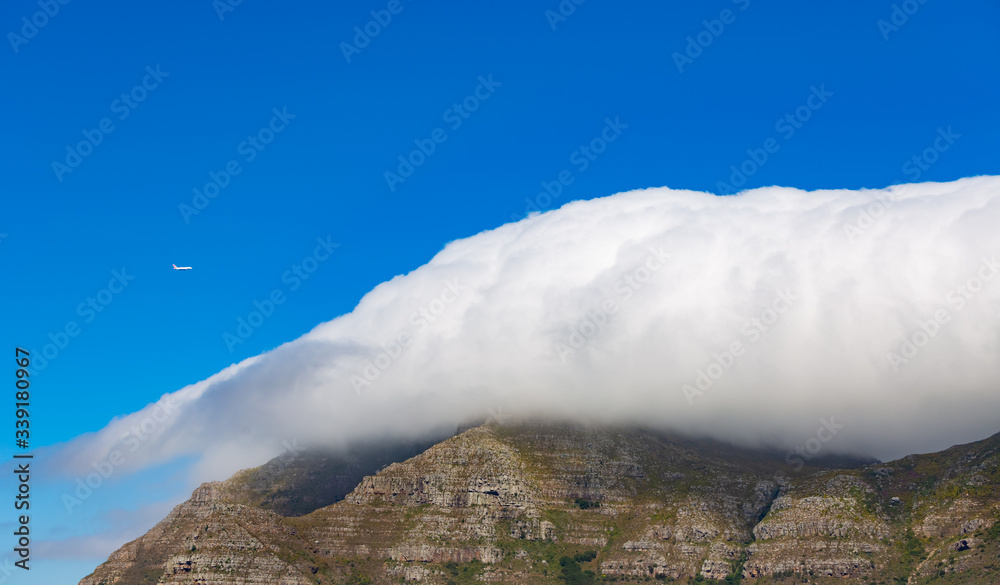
[(334, 128)]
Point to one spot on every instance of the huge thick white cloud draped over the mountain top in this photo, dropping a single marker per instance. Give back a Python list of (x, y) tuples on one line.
[(836, 280)]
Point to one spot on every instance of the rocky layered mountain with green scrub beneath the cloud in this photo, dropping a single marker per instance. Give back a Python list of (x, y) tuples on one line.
[(523, 504)]
